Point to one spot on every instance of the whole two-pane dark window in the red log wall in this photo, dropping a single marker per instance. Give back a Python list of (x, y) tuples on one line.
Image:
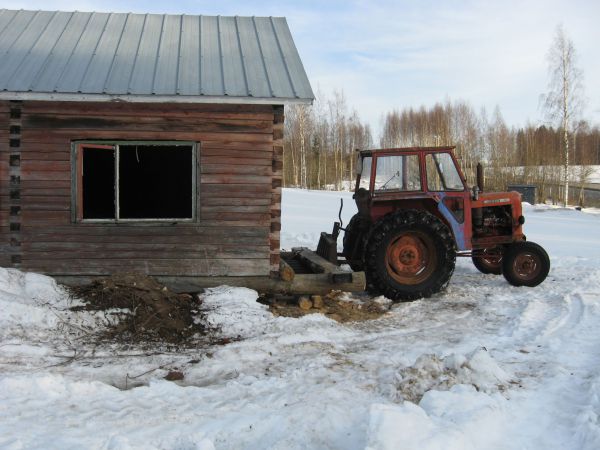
[(135, 181)]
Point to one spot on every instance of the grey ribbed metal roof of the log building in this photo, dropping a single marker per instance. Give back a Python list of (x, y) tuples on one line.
[(141, 57)]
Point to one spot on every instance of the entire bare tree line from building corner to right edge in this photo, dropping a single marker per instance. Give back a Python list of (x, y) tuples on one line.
[(319, 145)]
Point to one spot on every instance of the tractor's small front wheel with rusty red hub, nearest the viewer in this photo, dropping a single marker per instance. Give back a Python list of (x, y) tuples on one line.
[(525, 264)]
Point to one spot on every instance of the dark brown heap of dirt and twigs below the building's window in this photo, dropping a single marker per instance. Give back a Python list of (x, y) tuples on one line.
[(142, 310)]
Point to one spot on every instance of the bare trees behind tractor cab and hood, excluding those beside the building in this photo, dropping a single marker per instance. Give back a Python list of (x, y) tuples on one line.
[(528, 155)]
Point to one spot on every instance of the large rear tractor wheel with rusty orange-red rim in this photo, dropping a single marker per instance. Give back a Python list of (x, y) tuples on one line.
[(410, 254)]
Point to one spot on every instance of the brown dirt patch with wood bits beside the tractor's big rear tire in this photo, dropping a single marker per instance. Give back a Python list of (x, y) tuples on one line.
[(334, 305)]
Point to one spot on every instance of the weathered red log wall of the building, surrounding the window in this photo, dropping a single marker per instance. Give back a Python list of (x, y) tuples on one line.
[(239, 191)]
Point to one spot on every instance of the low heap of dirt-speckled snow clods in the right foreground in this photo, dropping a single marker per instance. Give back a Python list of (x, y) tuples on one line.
[(430, 372)]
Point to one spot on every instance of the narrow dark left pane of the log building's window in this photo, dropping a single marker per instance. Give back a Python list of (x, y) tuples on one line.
[(98, 183)]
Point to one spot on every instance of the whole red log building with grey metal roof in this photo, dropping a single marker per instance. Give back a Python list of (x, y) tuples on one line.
[(144, 143)]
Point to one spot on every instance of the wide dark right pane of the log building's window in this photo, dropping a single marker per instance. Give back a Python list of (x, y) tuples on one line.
[(155, 181)]
